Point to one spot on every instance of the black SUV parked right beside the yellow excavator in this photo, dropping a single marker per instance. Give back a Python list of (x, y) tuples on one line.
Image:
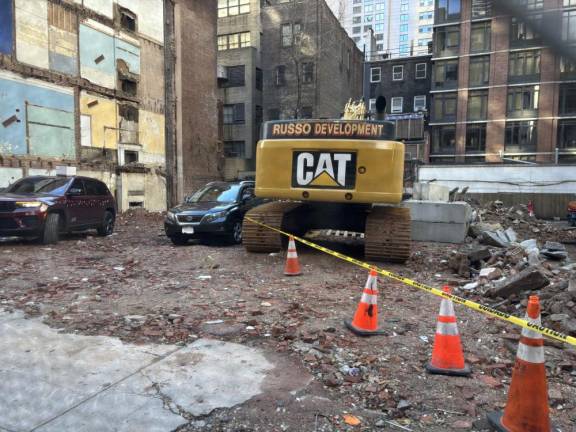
[(216, 210)]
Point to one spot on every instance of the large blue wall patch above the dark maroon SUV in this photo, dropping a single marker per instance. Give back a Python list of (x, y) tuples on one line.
[(50, 119)]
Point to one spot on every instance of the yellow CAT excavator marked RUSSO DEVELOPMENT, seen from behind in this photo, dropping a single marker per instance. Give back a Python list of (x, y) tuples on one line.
[(341, 175)]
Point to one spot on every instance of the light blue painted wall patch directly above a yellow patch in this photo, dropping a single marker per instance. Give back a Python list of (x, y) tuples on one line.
[(97, 62)]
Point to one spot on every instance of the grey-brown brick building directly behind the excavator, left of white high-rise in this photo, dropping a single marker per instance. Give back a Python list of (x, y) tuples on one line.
[(280, 59)]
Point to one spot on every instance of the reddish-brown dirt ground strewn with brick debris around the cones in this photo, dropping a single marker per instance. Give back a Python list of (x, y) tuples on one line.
[(139, 287)]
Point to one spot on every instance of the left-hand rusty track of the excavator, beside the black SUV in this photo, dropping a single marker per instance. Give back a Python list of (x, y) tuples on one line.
[(255, 237)]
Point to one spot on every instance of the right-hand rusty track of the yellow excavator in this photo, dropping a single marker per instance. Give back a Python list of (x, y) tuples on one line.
[(388, 234)]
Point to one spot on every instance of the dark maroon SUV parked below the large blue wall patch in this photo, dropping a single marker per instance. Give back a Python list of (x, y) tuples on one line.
[(44, 207)]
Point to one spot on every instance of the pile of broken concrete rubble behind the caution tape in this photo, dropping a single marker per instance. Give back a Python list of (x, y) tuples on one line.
[(511, 255)]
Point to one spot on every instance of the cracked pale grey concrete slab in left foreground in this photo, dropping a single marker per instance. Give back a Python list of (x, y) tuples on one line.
[(51, 381)]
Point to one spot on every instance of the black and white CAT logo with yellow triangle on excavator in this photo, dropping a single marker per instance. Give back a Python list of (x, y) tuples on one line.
[(324, 170)]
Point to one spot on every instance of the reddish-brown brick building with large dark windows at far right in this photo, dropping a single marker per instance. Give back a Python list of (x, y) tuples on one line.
[(502, 85)]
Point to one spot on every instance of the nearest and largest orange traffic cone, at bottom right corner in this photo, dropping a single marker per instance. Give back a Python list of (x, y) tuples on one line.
[(527, 407)]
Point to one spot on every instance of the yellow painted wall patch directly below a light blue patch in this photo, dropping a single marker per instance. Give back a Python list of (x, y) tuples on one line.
[(102, 114)]
